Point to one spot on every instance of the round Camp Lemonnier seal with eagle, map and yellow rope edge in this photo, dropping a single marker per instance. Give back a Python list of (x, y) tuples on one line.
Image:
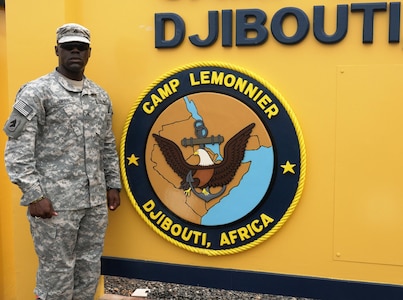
[(213, 158)]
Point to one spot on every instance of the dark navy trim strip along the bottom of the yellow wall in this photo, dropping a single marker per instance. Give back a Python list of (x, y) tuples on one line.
[(256, 282)]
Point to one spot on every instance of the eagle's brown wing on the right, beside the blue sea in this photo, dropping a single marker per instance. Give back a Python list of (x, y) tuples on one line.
[(234, 152)]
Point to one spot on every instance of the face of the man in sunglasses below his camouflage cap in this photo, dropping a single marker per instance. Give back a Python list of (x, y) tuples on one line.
[(73, 56)]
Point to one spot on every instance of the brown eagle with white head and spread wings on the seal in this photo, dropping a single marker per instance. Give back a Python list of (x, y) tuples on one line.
[(207, 173)]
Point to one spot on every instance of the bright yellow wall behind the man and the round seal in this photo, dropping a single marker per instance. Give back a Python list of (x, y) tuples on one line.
[(346, 96)]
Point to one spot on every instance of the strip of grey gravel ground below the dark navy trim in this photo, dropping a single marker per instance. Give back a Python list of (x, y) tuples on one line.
[(162, 290)]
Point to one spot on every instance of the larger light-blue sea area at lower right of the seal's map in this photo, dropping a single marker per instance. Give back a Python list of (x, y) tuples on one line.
[(246, 196)]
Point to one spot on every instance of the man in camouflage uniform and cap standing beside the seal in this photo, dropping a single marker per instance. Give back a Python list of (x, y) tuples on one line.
[(61, 152)]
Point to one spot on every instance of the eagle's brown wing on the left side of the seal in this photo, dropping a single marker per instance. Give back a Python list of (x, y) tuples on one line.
[(173, 156)]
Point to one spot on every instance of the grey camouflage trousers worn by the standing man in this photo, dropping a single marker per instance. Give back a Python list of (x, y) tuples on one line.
[(69, 248)]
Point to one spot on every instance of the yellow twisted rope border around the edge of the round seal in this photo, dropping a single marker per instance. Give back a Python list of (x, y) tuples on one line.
[(297, 128)]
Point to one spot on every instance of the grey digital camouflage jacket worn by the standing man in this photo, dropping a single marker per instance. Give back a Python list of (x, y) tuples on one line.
[(61, 143)]
